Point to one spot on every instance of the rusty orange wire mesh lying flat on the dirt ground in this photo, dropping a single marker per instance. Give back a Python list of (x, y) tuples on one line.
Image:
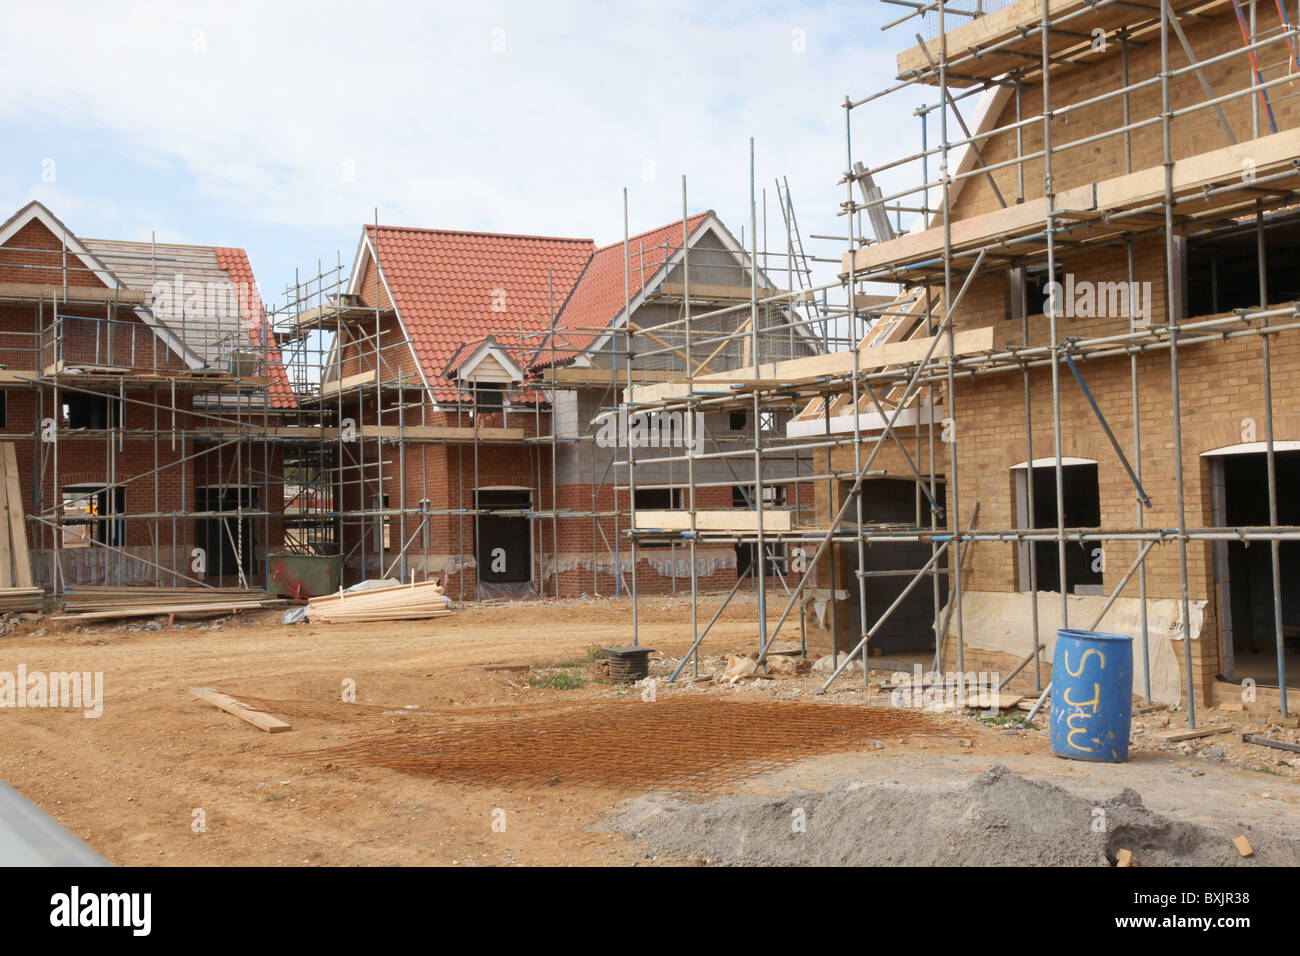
[(691, 745)]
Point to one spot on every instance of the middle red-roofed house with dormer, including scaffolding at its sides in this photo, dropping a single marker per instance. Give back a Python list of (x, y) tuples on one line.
[(469, 390)]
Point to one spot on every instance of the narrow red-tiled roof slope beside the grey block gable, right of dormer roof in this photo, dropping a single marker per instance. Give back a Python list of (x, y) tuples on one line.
[(600, 295)]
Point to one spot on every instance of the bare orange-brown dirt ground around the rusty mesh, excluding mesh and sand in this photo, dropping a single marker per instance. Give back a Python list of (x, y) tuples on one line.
[(137, 782)]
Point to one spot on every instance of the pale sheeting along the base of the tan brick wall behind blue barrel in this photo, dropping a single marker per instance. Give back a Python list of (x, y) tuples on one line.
[(1002, 621)]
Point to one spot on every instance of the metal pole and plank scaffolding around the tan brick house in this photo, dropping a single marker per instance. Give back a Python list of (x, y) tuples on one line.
[(1212, 183)]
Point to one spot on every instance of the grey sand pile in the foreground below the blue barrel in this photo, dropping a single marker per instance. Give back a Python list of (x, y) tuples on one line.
[(998, 819)]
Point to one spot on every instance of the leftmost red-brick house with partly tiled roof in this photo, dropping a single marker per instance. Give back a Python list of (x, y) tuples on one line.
[(133, 377)]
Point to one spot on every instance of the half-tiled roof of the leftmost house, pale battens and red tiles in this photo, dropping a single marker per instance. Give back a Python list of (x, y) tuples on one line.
[(231, 318)]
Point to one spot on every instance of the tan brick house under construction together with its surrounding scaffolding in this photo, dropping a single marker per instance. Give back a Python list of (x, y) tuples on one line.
[(1076, 410)]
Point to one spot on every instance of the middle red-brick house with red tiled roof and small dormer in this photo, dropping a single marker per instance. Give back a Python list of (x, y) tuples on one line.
[(478, 370)]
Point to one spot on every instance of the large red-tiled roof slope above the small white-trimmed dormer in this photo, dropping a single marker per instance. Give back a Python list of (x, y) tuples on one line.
[(452, 288)]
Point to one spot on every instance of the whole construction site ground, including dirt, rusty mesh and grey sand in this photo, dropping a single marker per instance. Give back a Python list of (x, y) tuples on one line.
[(166, 778)]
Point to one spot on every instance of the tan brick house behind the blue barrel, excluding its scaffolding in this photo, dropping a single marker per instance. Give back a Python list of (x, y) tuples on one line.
[(1236, 239)]
